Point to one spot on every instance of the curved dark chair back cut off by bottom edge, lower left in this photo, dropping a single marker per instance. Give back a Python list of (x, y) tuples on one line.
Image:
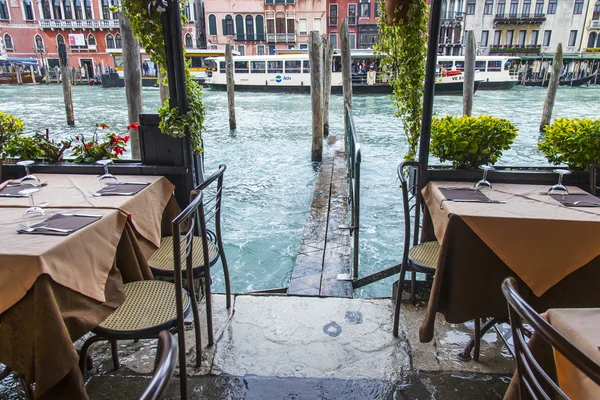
[(164, 366)]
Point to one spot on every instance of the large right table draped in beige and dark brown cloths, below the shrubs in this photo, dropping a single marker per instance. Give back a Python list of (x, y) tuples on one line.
[(552, 250)]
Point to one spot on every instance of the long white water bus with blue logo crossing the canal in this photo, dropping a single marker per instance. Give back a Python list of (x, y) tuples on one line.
[(291, 72)]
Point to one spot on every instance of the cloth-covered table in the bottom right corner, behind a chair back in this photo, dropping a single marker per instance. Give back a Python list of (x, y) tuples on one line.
[(580, 326)]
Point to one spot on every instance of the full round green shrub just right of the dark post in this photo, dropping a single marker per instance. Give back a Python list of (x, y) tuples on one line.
[(471, 141)]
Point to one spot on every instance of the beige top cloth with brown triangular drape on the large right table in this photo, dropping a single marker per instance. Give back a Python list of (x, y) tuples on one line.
[(541, 240)]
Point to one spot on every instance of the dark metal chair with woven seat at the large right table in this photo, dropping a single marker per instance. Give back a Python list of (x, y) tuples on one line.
[(417, 257)]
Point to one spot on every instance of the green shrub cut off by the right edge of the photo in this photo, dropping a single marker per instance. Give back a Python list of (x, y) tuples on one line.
[(575, 142)]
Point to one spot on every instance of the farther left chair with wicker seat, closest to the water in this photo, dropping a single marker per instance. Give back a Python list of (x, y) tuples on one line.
[(161, 262)]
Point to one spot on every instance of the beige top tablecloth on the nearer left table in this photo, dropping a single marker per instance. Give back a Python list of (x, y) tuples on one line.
[(80, 261)]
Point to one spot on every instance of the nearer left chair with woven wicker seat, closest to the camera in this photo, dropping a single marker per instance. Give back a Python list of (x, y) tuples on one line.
[(153, 306)]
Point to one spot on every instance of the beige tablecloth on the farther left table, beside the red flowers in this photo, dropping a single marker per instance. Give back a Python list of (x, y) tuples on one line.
[(144, 210)]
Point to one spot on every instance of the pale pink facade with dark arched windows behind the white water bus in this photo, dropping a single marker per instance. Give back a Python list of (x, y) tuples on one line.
[(259, 27)]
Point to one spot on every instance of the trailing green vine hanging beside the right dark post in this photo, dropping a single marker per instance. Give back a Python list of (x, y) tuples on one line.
[(401, 48)]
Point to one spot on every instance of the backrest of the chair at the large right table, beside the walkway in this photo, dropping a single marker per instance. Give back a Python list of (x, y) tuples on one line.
[(409, 173)]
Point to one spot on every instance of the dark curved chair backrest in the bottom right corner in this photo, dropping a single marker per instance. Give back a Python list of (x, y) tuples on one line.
[(533, 381)]
